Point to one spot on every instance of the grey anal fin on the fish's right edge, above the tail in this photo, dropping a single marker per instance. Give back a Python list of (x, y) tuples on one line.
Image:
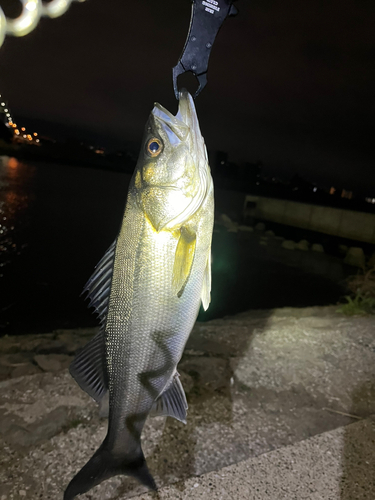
[(172, 402)]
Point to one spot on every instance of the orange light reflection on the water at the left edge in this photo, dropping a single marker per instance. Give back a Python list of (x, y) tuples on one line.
[(15, 199)]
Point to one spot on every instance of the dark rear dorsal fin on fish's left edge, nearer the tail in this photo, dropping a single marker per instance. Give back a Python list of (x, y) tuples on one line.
[(88, 368)]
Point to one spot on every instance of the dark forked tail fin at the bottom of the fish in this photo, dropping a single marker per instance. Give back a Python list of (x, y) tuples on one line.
[(103, 465)]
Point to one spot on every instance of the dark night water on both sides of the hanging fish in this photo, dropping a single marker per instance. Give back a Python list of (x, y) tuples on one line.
[(57, 222)]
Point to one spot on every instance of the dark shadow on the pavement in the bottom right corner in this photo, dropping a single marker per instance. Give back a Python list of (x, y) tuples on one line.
[(358, 454)]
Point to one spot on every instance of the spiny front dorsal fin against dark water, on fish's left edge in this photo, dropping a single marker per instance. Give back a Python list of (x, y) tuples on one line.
[(98, 286)]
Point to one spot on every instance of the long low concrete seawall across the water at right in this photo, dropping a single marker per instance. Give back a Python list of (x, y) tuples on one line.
[(358, 226)]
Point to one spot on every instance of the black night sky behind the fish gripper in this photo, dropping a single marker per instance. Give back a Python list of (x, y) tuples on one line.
[(289, 83)]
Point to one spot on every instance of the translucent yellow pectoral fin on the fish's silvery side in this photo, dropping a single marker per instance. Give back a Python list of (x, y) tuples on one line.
[(183, 260)]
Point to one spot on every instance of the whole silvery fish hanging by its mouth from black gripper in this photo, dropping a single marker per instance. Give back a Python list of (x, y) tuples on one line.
[(147, 291)]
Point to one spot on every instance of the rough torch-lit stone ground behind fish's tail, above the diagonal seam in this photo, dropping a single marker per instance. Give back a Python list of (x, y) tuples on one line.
[(256, 383)]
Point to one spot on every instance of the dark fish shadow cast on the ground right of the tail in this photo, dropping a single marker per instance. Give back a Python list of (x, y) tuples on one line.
[(206, 370)]
